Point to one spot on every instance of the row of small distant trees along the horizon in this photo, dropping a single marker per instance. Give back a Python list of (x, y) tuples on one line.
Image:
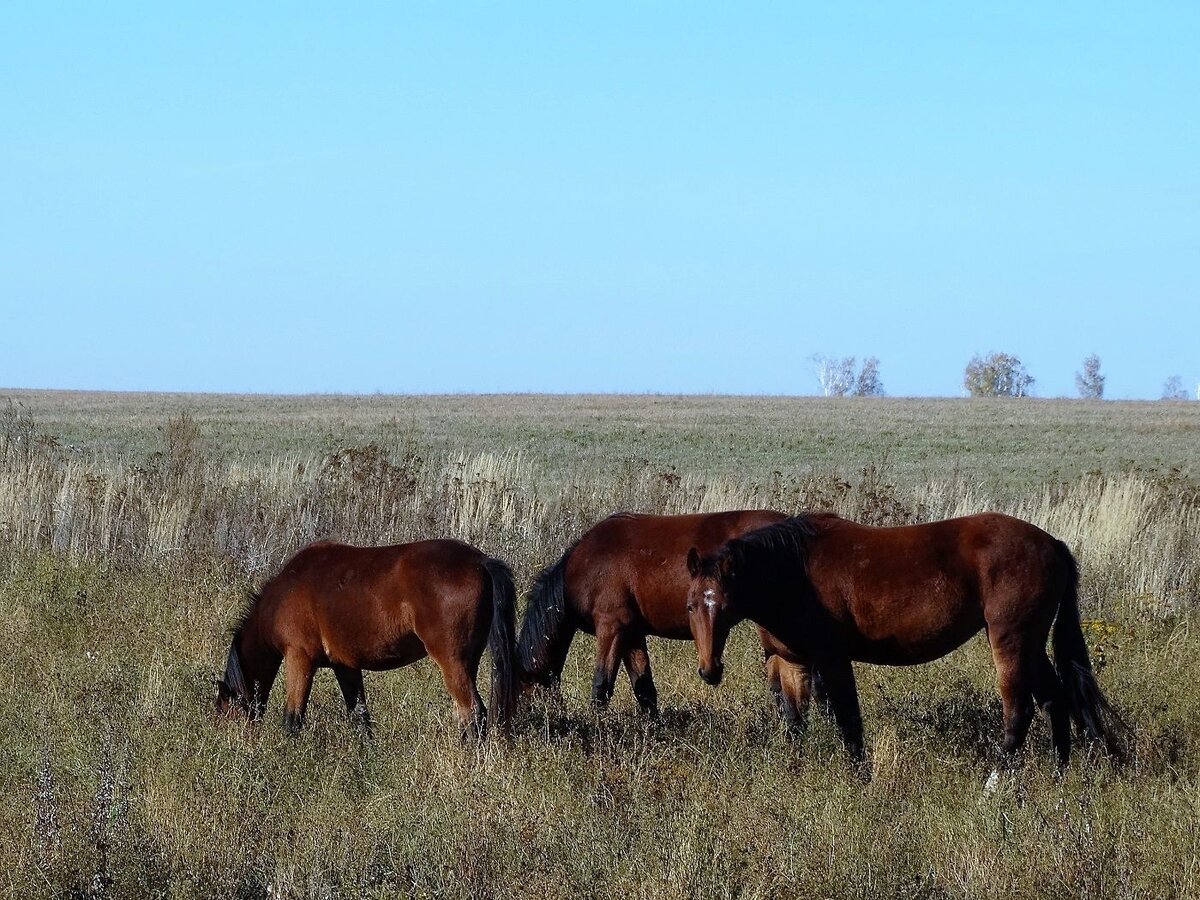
[(995, 375)]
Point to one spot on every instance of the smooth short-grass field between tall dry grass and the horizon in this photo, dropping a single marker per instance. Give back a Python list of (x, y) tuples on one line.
[(1005, 446)]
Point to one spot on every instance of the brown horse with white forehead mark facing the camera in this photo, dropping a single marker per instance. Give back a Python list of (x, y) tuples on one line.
[(836, 592)]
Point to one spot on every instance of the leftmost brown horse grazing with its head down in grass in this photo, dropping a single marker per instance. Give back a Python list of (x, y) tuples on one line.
[(351, 609)]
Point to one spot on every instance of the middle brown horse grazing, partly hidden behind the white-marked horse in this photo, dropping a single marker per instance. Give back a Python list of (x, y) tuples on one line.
[(626, 580)]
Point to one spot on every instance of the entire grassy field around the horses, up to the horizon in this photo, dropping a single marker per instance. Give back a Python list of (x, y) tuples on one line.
[(133, 526)]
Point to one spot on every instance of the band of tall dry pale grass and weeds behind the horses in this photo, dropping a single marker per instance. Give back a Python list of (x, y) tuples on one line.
[(1136, 536)]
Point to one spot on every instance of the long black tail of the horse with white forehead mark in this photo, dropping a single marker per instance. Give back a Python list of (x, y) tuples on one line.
[(1091, 711)]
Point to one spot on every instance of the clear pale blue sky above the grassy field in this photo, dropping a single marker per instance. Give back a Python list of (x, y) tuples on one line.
[(669, 197)]
